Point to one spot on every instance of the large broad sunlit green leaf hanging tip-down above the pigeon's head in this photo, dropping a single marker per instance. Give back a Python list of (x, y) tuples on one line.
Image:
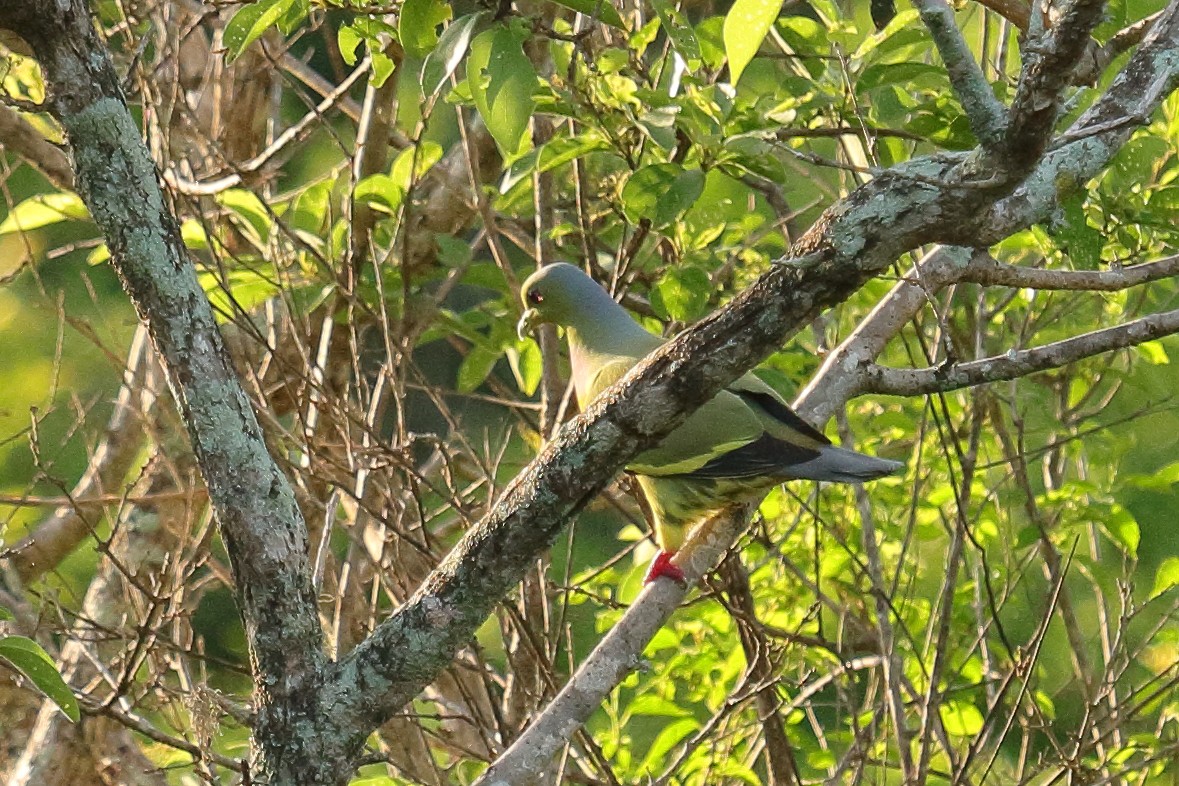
[(502, 81)]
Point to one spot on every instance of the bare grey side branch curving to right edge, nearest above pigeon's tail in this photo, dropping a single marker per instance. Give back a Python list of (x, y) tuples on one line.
[(917, 382)]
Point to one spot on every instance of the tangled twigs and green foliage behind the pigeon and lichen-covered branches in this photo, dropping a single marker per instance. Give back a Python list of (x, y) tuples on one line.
[(363, 188)]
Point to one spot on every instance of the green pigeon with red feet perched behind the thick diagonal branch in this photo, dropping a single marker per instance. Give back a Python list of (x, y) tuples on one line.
[(735, 448)]
